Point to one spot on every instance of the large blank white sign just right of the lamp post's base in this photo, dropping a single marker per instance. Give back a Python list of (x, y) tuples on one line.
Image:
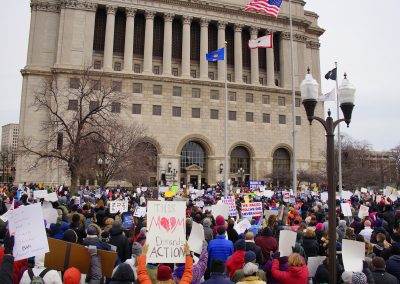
[(353, 254)]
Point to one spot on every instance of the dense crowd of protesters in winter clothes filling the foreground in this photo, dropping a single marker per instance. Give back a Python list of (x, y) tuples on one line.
[(226, 256)]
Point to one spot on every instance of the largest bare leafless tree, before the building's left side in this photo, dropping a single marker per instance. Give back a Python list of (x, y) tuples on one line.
[(77, 113)]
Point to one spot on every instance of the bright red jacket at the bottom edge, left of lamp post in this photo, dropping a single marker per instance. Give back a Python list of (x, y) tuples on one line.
[(296, 274)]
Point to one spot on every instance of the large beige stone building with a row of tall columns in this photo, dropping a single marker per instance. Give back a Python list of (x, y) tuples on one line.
[(155, 52)]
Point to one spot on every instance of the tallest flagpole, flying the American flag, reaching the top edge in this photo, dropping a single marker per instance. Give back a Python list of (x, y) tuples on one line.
[(294, 169)]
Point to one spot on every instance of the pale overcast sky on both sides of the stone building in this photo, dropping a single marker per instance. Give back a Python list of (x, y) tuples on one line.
[(360, 35)]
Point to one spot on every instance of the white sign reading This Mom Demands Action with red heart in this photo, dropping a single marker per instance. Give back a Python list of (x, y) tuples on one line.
[(166, 224)]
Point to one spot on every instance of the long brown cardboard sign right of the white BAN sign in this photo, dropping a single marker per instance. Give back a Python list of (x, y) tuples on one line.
[(63, 255)]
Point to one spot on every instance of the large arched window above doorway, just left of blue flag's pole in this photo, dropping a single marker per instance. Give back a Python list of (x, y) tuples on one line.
[(193, 154)]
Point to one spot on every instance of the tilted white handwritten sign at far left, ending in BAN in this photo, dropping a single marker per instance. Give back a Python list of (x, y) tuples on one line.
[(27, 224)]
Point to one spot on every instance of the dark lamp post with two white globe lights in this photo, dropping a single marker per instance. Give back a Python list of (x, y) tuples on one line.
[(309, 94)]
